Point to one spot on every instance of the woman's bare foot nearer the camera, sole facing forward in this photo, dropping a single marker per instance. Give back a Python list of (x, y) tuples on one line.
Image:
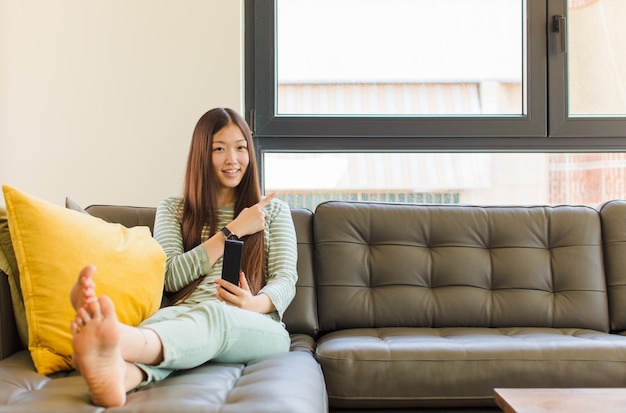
[(96, 344)]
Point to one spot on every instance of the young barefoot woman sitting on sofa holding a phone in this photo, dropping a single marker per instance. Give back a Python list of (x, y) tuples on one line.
[(212, 319)]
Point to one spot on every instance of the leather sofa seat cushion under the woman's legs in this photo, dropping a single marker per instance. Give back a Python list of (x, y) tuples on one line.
[(290, 382)]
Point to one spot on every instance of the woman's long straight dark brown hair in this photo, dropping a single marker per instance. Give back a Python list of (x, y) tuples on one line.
[(200, 193)]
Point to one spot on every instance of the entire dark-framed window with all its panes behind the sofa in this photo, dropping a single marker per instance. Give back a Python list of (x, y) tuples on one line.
[(439, 101)]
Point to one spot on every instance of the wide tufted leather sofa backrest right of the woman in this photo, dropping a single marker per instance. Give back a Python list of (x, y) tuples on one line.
[(388, 265)]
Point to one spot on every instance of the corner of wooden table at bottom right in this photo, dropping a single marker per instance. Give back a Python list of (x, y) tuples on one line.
[(604, 400)]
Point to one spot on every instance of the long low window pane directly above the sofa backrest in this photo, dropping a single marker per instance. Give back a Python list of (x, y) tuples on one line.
[(447, 178)]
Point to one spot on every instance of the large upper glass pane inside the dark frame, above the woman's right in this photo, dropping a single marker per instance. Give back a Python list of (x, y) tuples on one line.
[(401, 57)]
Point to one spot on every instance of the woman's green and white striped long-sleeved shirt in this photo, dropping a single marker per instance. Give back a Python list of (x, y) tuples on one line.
[(184, 267)]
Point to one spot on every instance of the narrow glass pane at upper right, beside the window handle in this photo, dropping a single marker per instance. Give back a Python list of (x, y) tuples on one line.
[(596, 58)]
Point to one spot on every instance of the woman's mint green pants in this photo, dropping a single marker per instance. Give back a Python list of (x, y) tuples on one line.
[(212, 330)]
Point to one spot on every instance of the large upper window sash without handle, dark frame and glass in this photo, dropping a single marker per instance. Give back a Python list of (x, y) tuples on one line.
[(436, 68)]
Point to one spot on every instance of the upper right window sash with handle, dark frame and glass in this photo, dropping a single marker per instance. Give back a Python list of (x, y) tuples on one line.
[(587, 71)]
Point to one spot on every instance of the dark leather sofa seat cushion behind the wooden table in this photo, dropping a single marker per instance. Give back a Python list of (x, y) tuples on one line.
[(436, 367)]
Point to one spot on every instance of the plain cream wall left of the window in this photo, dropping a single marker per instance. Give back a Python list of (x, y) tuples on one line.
[(98, 98)]
